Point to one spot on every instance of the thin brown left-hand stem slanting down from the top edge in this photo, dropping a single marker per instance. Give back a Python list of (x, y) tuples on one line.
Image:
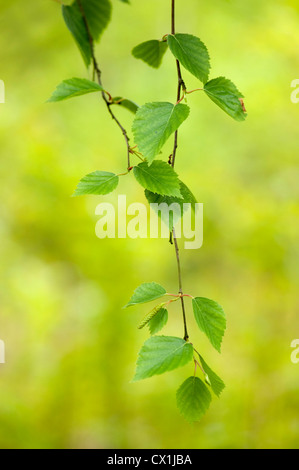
[(98, 73)]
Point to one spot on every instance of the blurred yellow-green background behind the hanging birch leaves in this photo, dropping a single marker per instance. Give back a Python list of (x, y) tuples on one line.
[(70, 348)]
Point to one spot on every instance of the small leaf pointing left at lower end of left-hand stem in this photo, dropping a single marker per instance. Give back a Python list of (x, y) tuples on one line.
[(98, 182)]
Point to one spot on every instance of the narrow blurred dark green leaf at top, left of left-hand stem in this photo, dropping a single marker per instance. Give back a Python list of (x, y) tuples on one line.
[(75, 23)]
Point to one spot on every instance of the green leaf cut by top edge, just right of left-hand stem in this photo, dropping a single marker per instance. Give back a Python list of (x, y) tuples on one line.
[(98, 15)]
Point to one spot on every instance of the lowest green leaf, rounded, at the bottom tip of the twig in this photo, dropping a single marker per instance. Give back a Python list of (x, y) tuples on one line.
[(193, 399)]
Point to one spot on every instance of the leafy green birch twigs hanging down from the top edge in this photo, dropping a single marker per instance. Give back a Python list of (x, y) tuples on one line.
[(153, 125)]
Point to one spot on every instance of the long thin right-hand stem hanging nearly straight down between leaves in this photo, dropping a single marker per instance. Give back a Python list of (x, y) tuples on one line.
[(176, 246)]
